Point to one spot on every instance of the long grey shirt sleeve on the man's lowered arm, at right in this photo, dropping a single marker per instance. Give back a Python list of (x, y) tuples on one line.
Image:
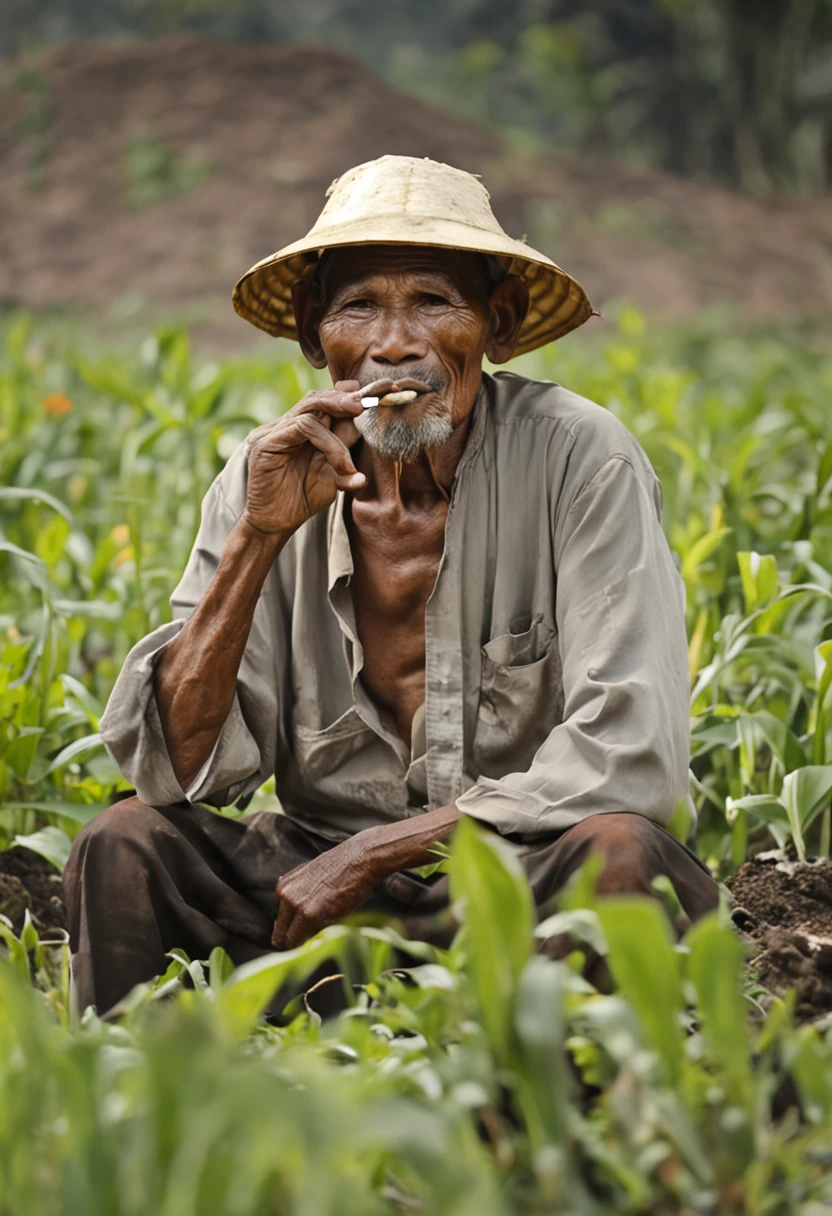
[(625, 741)]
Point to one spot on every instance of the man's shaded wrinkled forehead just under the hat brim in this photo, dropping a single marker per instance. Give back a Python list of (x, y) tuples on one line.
[(350, 267)]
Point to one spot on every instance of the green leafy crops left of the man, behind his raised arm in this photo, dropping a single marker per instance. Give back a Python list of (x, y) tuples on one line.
[(103, 468)]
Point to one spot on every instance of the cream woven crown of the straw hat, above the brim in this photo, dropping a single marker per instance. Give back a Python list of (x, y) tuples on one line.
[(407, 188)]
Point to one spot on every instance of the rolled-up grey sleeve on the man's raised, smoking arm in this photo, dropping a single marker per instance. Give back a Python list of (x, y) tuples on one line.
[(246, 750)]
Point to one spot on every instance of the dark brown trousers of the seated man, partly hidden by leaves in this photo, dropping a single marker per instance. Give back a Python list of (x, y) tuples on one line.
[(142, 881)]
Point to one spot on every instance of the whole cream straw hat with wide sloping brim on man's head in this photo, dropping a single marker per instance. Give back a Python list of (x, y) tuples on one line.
[(401, 200)]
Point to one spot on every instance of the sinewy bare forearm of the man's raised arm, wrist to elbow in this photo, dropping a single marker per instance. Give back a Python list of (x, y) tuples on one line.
[(196, 677)]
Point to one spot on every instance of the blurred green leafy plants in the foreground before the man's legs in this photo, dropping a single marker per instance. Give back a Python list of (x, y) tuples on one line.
[(435, 1091)]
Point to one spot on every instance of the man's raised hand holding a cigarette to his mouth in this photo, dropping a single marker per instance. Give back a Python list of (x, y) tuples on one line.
[(297, 464)]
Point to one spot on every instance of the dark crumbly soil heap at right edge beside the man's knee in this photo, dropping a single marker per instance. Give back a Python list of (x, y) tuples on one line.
[(786, 910)]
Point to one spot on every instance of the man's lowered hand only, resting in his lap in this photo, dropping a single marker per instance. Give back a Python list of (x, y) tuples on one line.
[(322, 892)]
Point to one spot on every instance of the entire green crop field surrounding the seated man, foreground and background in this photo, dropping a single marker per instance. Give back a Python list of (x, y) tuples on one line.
[(486, 1079)]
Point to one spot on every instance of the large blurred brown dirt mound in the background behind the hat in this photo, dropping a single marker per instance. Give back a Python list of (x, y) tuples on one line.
[(277, 126)]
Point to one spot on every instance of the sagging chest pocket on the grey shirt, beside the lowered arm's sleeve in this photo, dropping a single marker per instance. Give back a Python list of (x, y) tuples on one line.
[(521, 699)]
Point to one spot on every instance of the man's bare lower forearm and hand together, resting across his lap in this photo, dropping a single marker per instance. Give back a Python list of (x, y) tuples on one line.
[(341, 881)]
